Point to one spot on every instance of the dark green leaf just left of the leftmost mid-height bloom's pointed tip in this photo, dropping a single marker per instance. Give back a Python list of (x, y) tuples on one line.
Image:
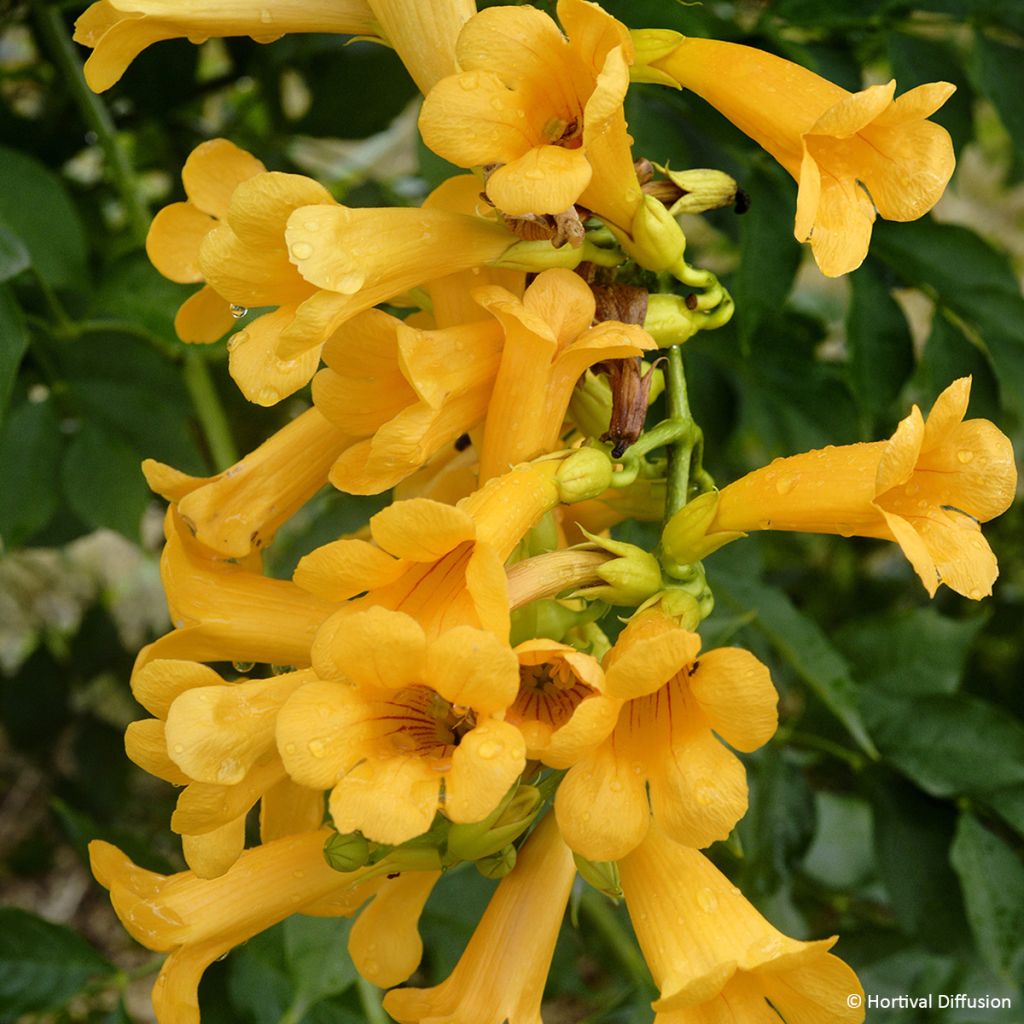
[(103, 482)]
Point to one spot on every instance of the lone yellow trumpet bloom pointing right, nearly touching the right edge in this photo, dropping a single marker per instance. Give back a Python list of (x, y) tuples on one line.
[(928, 489)]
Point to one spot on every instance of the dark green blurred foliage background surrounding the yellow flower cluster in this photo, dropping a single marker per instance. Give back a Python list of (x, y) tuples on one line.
[(890, 807)]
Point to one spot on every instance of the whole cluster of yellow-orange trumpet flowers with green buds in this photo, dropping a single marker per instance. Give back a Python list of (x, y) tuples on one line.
[(438, 690)]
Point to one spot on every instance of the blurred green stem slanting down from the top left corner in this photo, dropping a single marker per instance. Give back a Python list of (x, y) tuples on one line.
[(97, 116)]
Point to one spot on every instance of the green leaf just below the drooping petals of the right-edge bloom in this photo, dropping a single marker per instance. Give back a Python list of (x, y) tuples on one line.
[(917, 652)]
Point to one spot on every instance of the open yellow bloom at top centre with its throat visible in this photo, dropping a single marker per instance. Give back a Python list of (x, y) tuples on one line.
[(547, 110)]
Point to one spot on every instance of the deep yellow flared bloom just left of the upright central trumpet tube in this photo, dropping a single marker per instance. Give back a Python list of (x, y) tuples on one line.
[(412, 392)]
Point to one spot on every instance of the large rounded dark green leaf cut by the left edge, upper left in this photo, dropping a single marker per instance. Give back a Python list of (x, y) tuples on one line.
[(35, 206)]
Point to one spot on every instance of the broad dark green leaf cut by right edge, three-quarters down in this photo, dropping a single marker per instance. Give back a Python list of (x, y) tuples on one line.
[(949, 745)]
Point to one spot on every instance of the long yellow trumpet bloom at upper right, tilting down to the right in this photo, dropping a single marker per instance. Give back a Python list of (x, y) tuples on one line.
[(854, 155)]
